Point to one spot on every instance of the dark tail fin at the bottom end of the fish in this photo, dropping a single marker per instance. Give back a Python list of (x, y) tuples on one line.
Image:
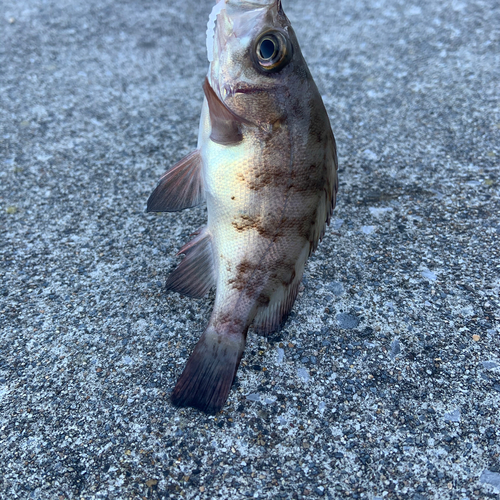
[(209, 372)]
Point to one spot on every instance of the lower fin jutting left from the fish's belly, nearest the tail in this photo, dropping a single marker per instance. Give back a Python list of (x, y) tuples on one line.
[(195, 275)]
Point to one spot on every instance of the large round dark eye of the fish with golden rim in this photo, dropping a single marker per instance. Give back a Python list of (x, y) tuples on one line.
[(272, 51)]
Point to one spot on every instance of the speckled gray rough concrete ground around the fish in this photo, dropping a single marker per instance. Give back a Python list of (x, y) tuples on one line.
[(385, 381)]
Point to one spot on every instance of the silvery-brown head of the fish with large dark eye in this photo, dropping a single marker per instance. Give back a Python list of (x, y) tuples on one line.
[(253, 55)]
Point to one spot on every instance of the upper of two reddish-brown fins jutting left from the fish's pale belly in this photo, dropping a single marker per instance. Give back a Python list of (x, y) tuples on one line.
[(180, 187)]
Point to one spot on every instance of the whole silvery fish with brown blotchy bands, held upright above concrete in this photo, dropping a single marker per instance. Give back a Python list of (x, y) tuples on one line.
[(266, 167)]
